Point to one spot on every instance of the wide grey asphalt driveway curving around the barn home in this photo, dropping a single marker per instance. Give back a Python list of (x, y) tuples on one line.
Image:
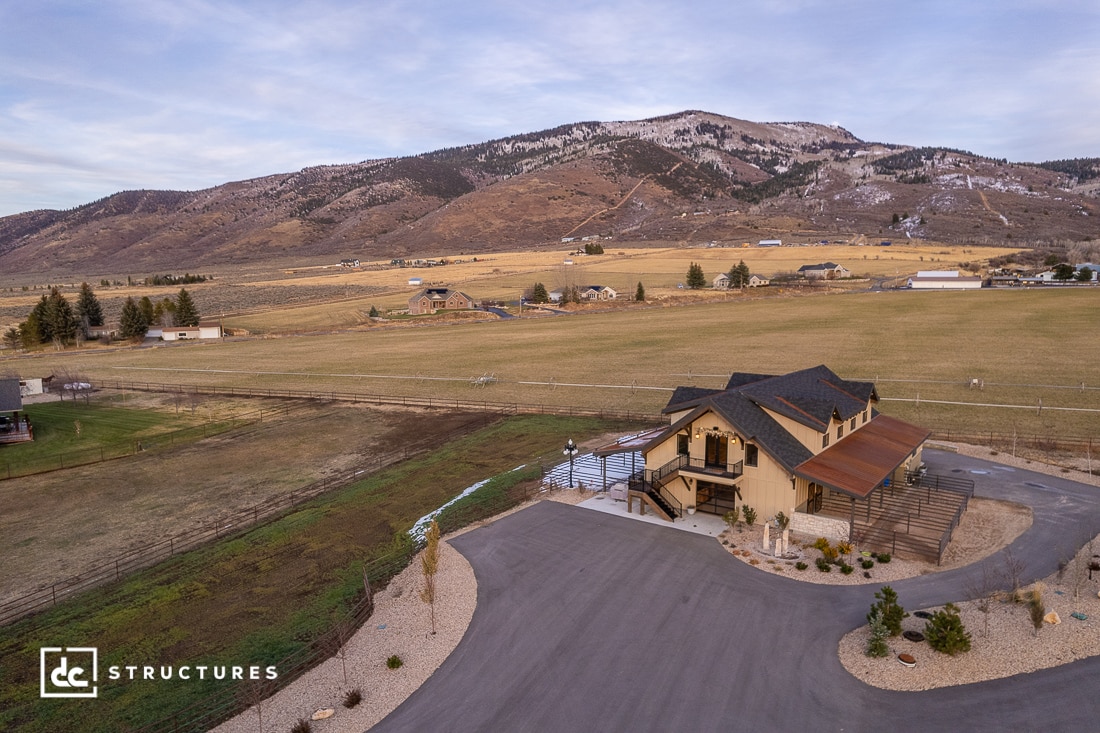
[(593, 622)]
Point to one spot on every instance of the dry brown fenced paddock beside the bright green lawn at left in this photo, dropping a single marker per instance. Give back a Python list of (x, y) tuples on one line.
[(58, 527)]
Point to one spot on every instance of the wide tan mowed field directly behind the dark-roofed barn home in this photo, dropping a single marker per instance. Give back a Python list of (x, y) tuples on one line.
[(1028, 346)]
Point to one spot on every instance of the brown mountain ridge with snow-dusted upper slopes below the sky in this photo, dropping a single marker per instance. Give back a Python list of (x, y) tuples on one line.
[(687, 178)]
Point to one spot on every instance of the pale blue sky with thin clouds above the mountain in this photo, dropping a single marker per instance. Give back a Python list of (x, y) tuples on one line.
[(101, 96)]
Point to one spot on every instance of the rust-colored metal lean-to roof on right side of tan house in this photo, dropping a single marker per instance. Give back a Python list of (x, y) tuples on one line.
[(861, 463)]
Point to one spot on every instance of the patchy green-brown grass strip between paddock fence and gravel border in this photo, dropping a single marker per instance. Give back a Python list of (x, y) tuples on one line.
[(257, 598)]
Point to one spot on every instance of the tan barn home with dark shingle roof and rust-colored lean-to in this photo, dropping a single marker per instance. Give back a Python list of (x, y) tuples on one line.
[(778, 444)]
